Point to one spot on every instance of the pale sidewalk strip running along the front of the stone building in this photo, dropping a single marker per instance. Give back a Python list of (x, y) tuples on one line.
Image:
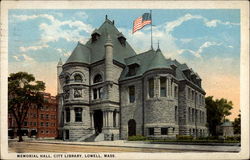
[(123, 143)]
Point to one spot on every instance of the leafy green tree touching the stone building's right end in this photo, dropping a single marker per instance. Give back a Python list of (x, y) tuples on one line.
[(217, 111)]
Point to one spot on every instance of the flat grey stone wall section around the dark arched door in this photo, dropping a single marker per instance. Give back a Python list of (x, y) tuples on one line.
[(131, 110)]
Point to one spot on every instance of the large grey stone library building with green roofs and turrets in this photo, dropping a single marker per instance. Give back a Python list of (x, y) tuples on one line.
[(107, 92)]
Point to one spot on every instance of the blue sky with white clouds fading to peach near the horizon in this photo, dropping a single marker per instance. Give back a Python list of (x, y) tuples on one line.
[(207, 40)]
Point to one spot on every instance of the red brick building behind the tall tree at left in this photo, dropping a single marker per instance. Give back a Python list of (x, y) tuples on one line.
[(40, 122)]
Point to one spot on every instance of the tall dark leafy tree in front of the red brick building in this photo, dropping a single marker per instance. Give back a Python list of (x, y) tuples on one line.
[(23, 92)]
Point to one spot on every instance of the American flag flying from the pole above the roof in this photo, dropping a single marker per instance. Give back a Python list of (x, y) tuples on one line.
[(142, 21)]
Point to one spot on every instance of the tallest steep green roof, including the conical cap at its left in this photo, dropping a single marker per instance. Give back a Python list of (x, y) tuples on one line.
[(95, 51)]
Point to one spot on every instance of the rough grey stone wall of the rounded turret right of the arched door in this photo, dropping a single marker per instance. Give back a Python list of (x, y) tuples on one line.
[(160, 111)]
